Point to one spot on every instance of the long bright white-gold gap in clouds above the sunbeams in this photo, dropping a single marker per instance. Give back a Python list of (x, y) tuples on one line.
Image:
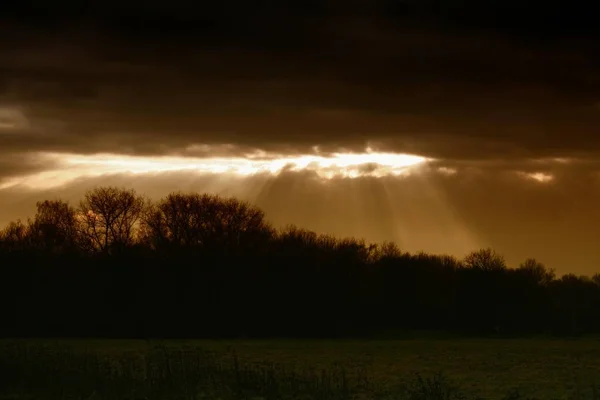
[(343, 165)]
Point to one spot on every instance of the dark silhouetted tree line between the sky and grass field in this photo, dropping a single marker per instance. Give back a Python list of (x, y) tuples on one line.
[(200, 265)]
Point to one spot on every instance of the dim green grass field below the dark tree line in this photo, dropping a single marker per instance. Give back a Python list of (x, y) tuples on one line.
[(343, 369)]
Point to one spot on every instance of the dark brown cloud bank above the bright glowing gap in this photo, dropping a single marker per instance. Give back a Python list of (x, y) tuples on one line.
[(300, 76)]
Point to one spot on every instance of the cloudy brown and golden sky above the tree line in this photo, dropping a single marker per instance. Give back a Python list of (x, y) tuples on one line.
[(443, 126)]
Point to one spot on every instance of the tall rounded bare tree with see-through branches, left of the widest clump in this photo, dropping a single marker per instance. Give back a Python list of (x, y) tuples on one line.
[(109, 215)]
